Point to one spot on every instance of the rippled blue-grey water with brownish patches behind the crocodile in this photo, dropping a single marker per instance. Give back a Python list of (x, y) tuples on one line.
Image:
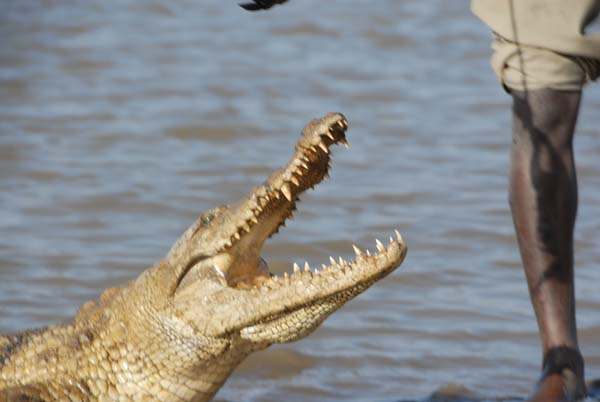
[(121, 121)]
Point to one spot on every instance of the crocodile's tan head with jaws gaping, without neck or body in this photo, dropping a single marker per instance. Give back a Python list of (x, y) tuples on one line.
[(224, 287)]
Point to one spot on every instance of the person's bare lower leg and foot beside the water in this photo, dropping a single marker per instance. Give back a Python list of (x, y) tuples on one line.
[(543, 199)]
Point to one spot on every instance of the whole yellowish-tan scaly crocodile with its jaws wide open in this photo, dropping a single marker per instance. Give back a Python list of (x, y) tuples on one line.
[(178, 331)]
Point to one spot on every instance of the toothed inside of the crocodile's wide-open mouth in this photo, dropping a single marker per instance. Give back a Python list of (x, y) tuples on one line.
[(269, 205)]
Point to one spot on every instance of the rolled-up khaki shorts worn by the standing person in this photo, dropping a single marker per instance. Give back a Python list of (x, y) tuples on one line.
[(542, 43)]
